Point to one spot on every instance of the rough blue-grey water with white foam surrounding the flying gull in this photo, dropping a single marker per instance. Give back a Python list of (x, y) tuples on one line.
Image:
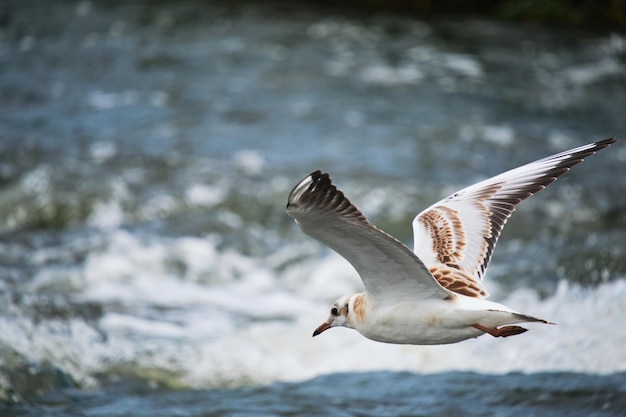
[(147, 265)]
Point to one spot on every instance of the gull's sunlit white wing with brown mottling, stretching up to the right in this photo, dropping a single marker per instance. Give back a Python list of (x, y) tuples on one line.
[(458, 234)]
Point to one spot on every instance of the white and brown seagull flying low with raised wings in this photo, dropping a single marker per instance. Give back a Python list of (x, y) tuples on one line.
[(435, 293)]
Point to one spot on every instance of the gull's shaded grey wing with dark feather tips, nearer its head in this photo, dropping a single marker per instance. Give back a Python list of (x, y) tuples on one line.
[(390, 271)]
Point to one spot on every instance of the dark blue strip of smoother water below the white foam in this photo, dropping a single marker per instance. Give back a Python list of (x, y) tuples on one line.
[(378, 394)]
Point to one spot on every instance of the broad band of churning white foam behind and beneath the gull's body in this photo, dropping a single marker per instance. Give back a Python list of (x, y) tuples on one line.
[(229, 319)]
